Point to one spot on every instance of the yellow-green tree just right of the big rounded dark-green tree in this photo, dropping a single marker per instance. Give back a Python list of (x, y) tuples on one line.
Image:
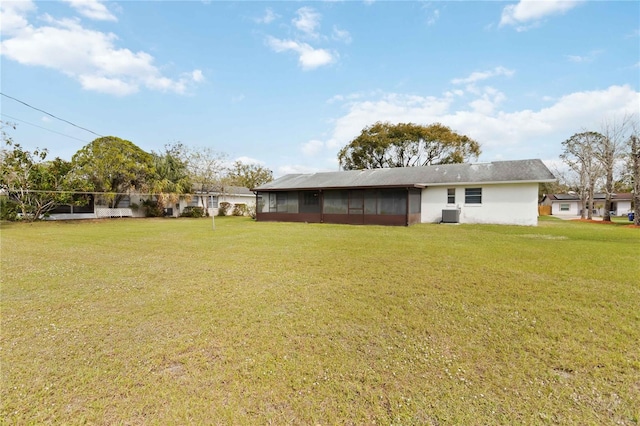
[(171, 177)]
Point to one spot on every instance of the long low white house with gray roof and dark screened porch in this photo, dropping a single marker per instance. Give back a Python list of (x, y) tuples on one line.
[(501, 192)]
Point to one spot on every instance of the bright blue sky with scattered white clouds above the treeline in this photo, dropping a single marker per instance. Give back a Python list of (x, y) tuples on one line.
[(287, 84)]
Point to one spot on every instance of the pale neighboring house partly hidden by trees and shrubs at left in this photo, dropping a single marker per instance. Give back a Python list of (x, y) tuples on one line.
[(131, 205)]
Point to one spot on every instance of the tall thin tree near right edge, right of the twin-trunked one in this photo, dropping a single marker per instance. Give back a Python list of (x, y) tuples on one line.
[(609, 152)]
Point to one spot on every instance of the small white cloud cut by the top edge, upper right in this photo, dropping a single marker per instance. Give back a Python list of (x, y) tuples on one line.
[(528, 13)]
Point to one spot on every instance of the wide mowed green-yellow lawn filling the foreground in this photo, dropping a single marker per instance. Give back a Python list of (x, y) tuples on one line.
[(166, 321)]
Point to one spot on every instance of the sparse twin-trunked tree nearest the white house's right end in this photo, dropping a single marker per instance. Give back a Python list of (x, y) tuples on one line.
[(579, 155)]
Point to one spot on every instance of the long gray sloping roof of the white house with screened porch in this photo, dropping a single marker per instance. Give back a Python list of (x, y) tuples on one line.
[(446, 174)]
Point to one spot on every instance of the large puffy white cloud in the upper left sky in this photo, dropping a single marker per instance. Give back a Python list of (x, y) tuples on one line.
[(91, 57)]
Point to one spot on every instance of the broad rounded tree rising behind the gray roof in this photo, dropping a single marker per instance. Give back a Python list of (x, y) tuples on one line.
[(406, 144)]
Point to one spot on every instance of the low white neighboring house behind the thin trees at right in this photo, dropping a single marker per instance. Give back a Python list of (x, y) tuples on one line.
[(570, 204)]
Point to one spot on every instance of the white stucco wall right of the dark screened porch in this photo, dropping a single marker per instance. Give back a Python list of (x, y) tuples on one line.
[(507, 204)]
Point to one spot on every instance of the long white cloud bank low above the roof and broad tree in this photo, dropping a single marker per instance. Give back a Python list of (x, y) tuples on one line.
[(502, 133)]
